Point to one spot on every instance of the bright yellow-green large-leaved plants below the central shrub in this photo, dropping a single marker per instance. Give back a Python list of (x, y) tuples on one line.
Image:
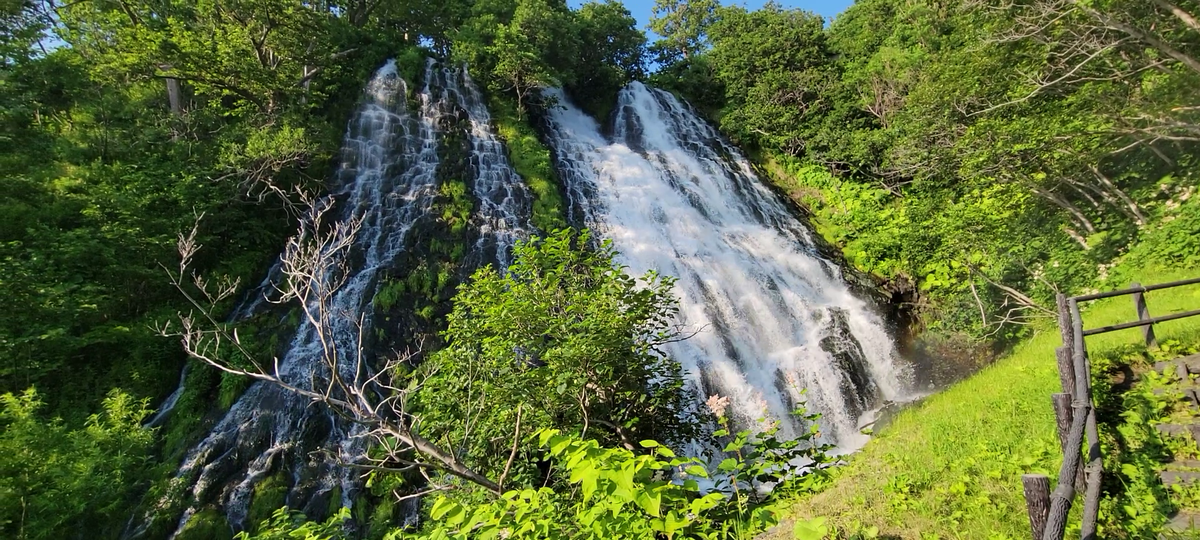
[(617, 494)]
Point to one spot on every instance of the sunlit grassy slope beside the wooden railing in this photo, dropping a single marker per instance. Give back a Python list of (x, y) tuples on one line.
[(951, 467)]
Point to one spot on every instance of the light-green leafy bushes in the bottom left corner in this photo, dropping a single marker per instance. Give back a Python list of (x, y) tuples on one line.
[(56, 479)]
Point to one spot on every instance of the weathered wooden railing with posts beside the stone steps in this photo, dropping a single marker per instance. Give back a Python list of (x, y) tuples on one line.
[(1076, 416)]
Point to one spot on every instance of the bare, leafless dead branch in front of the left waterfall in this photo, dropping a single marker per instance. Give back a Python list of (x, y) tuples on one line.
[(314, 269)]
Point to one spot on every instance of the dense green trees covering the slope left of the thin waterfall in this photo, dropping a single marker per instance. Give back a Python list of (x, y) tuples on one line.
[(135, 119)]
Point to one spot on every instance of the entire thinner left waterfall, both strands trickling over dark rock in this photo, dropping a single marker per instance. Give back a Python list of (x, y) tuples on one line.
[(388, 183)]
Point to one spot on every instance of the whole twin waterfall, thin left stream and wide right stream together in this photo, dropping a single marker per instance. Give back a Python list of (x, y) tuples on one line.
[(771, 315)]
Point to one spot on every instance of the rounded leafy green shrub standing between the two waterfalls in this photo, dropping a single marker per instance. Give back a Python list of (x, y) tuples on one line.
[(566, 340)]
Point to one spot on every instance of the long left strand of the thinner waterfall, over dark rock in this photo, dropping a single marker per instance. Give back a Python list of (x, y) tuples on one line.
[(388, 183)]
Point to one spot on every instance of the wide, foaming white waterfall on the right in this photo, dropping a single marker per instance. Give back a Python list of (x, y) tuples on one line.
[(773, 317)]
